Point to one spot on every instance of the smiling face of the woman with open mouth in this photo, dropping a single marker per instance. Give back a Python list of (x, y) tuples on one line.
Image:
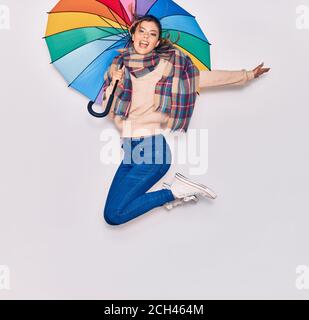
[(146, 37)]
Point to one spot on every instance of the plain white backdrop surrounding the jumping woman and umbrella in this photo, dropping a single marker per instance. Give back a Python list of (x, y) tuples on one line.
[(245, 244)]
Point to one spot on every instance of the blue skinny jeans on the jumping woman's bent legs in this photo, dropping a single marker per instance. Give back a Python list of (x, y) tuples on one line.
[(145, 162)]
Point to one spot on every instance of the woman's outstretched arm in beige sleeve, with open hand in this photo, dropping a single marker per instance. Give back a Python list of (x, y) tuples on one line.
[(216, 78)]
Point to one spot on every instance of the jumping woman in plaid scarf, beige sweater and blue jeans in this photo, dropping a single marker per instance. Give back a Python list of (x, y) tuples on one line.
[(157, 89)]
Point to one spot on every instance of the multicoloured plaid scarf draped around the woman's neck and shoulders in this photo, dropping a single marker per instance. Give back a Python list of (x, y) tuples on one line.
[(175, 92)]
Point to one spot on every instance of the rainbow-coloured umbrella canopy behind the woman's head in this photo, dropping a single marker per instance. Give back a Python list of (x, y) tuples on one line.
[(83, 37)]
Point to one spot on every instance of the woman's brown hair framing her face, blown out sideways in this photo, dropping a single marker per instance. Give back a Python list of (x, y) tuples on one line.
[(165, 43)]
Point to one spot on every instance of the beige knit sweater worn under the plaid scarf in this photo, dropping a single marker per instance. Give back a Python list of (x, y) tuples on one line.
[(142, 120)]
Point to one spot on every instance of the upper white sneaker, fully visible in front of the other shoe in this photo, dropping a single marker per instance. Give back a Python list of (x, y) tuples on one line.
[(182, 187)]
